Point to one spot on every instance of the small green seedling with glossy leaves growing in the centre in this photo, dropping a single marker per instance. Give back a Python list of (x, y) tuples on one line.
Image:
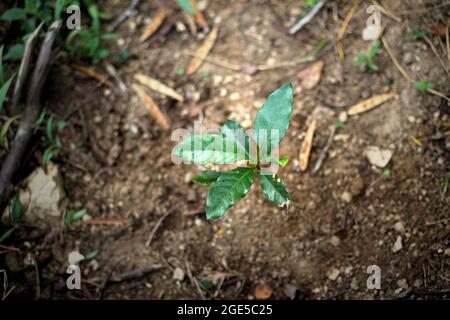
[(233, 144)]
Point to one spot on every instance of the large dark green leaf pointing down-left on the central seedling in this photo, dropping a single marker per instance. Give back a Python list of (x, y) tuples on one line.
[(229, 188)]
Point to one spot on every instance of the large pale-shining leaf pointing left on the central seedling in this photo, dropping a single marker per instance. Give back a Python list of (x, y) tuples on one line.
[(202, 149)]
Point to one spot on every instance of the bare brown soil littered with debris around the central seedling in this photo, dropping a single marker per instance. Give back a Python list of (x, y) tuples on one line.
[(124, 170)]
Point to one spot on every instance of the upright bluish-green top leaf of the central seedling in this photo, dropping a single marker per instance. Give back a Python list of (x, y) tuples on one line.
[(272, 120)]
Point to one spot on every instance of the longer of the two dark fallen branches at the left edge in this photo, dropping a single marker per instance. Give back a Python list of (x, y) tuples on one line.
[(29, 117)]
